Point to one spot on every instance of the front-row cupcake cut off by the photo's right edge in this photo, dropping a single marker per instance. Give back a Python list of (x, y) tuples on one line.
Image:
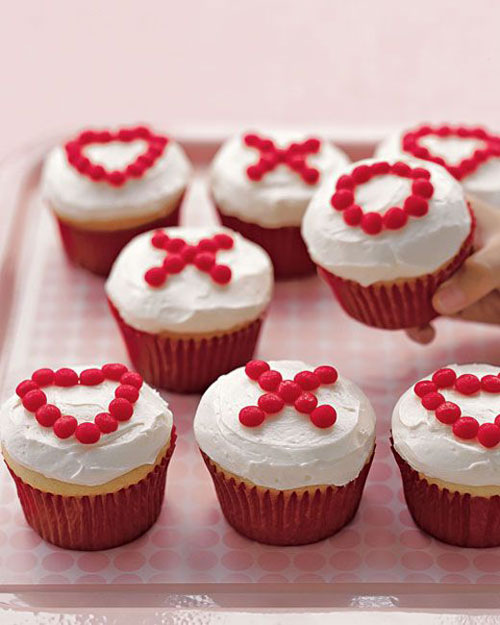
[(446, 435)]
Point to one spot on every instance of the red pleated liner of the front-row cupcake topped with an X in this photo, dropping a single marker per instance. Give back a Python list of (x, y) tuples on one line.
[(286, 517)]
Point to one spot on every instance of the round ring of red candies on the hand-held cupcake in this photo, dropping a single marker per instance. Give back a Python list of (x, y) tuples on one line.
[(396, 217)]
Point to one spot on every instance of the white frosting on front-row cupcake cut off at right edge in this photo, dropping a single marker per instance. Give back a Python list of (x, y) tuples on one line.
[(430, 446)]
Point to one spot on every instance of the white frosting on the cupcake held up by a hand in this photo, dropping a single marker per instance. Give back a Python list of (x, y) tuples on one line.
[(422, 246)]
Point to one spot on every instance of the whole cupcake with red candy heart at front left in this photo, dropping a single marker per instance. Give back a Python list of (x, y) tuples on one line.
[(88, 450)]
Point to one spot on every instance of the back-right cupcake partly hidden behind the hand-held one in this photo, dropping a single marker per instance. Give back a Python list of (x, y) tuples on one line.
[(470, 153)]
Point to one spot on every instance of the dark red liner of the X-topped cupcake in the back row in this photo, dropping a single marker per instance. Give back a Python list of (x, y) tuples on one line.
[(285, 246)]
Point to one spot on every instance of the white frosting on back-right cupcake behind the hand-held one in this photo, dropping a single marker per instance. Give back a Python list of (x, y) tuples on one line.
[(484, 182)]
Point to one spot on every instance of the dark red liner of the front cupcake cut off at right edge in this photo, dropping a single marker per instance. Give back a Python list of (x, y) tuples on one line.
[(456, 518)]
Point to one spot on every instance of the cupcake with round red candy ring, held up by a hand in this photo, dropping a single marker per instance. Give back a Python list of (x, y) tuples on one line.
[(384, 235)]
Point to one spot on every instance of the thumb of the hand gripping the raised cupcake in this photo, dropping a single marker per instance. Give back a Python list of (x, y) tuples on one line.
[(477, 277)]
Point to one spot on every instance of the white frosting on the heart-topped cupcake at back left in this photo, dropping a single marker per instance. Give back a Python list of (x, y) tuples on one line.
[(78, 198)]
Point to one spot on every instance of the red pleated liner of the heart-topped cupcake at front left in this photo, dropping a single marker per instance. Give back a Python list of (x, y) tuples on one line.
[(91, 523)]
